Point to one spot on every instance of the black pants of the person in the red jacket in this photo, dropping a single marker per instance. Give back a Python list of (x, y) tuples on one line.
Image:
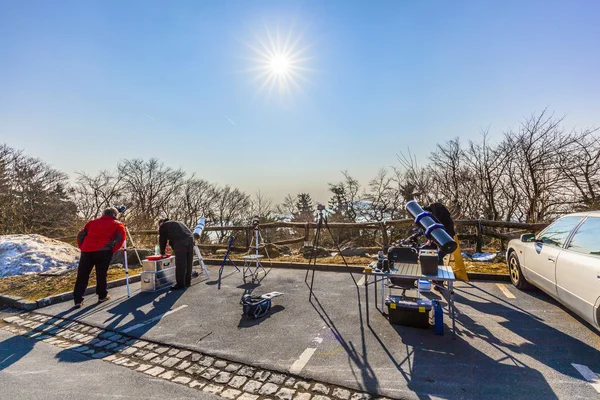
[(99, 259)]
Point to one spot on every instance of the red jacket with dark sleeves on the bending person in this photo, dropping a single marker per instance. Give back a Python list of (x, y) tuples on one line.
[(104, 233)]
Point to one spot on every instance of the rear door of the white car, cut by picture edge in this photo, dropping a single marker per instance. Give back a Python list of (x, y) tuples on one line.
[(578, 270)]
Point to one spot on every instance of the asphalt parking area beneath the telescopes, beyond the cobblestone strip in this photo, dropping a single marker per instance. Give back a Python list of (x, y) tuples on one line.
[(521, 347)]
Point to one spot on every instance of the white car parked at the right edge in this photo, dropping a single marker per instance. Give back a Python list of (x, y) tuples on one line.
[(564, 261)]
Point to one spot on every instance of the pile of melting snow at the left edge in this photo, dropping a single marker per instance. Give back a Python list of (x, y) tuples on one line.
[(31, 254)]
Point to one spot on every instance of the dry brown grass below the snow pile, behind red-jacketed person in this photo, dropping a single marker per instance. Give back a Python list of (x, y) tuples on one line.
[(35, 287)]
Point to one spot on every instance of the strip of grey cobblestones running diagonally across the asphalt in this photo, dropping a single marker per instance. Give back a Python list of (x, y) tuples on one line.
[(232, 381)]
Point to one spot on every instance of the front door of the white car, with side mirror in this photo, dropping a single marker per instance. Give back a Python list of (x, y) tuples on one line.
[(540, 259)]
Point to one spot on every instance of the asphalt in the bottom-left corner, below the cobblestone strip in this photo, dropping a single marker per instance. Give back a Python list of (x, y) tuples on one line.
[(32, 370)]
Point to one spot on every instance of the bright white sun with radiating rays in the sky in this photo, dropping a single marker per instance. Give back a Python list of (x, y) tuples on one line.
[(280, 63)]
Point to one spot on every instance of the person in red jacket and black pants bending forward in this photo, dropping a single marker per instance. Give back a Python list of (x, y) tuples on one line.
[(98, 240)]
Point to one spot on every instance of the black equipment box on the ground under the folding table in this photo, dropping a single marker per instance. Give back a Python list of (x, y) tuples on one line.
[(409, 311)]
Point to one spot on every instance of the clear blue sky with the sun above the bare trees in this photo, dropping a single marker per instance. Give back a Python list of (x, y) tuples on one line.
[(84, 84)]
